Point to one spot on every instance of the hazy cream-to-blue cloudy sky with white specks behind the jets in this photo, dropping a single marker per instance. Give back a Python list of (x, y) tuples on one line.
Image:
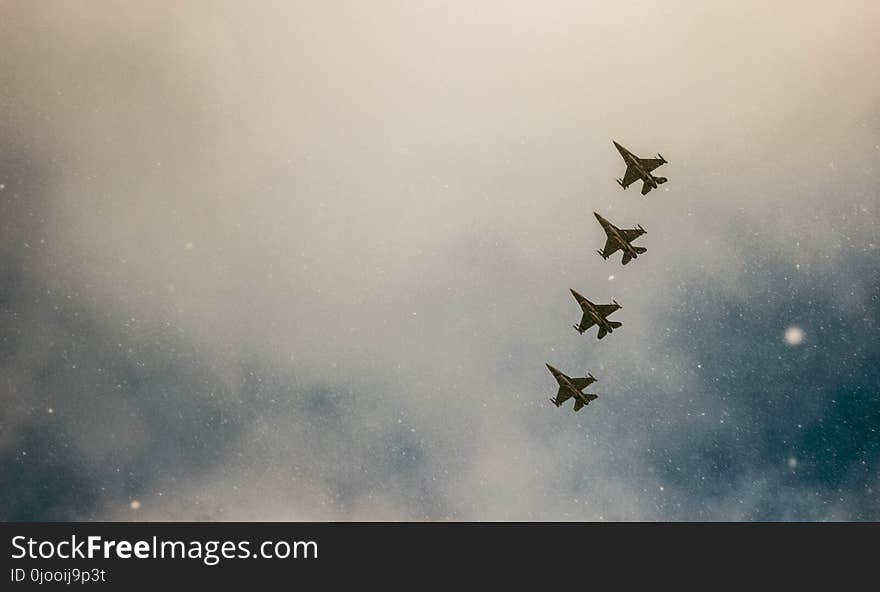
[(306, 261)]
